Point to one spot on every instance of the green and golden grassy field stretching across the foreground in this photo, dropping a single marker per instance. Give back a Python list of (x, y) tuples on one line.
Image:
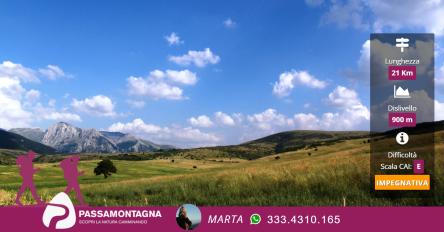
[(333, 174)]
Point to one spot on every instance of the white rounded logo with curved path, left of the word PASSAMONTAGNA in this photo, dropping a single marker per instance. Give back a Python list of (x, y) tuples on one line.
[(60, 206)]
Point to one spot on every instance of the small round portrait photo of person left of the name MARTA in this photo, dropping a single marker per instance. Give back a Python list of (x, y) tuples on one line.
[(188, 217)]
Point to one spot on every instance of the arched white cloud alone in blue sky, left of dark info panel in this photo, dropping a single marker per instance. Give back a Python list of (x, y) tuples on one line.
[(288, 80)]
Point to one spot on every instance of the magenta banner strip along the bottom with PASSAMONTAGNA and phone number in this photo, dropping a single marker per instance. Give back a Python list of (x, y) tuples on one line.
[(233, 219)]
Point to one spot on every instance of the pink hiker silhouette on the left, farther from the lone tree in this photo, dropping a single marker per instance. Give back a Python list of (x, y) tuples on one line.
[(27, 171)]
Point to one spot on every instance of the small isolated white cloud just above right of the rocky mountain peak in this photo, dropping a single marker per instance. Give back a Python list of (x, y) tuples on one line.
[(97, 106)]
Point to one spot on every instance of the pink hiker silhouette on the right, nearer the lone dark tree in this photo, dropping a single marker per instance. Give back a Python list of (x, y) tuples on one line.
[(71, 174)]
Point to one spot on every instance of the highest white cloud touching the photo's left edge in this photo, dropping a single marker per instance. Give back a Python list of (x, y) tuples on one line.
[(17, 71)]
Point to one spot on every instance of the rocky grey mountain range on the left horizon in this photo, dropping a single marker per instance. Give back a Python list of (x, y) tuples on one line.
[(66, 138)]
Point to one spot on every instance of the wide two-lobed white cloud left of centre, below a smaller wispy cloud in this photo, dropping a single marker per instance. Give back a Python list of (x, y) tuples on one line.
[(159, 84)]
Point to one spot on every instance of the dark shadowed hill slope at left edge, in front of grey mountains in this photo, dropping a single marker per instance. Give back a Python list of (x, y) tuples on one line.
[(9, 140)]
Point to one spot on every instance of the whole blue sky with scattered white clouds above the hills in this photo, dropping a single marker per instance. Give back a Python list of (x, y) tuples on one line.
[(232, 71)]
